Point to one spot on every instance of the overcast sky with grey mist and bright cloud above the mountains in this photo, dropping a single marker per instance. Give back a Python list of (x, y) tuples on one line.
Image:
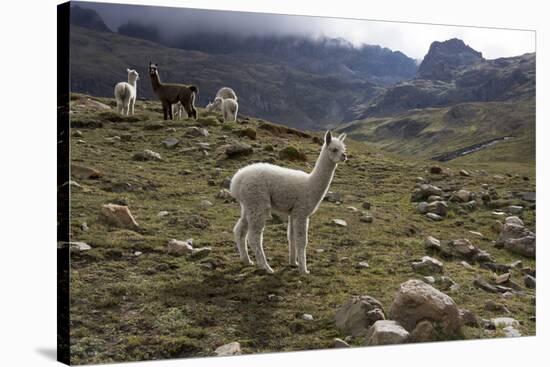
[(412, 39)]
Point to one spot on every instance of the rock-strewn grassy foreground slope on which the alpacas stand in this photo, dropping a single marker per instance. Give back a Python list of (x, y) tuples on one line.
[(400, 250)]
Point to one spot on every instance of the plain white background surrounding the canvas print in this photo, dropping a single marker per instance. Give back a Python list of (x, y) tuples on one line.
[(28, 156)]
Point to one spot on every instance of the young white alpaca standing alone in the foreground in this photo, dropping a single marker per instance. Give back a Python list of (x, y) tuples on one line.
[(261, 188)]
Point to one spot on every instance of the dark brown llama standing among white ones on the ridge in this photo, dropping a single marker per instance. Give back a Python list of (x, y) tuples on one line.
[(170, 94)]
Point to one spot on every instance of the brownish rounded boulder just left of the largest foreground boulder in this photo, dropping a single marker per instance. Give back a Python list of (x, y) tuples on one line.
[(358, 315)]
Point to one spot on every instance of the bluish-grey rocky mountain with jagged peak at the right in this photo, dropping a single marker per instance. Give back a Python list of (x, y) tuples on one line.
[(453, 73)]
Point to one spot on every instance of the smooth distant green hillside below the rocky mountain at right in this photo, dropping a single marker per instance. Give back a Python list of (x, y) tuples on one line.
[(425, 133)]
